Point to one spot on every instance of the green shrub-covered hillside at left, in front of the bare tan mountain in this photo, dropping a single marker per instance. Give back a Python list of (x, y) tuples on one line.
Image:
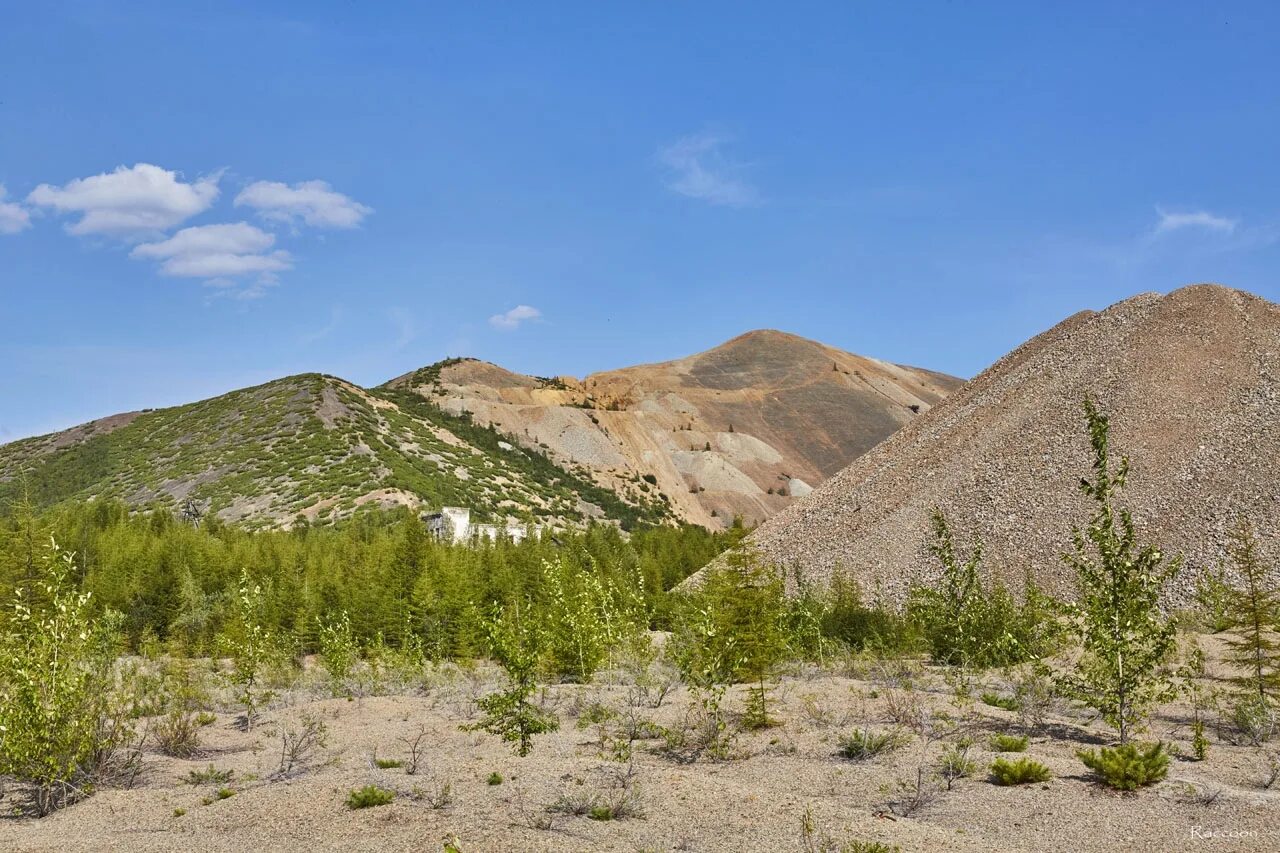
[(309, 445)]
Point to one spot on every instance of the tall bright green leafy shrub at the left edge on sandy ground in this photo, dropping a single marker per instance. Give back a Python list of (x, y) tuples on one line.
[(57, 687)]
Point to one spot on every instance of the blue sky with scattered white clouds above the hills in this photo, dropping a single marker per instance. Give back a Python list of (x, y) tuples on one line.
[(204, 197)]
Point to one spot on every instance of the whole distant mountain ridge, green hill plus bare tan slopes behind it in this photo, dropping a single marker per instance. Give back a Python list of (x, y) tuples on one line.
[(742, 430)]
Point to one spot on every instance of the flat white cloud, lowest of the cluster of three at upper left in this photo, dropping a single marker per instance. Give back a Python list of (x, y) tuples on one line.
[(218, 253)]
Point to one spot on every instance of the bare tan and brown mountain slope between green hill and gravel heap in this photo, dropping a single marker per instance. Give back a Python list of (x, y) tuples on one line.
[(743, 430)]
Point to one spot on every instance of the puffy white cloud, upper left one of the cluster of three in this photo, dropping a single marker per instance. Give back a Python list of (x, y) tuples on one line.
[(129, 203)]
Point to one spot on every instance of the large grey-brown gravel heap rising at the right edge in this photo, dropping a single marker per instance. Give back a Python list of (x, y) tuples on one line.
[(1191, 382)]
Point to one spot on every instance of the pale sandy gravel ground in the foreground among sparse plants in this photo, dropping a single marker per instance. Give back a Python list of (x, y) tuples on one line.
[(753, 802)]
